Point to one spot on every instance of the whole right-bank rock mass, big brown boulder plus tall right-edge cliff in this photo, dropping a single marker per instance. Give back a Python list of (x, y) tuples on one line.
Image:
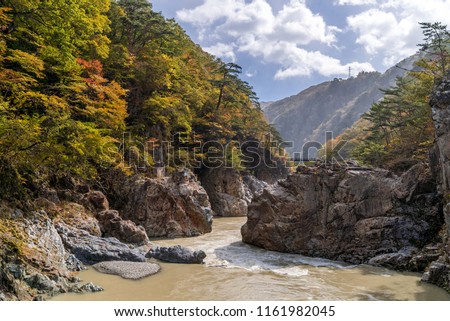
[(366, 216)]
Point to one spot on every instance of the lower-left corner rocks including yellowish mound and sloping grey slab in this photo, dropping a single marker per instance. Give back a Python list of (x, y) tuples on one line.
[(41, 248)]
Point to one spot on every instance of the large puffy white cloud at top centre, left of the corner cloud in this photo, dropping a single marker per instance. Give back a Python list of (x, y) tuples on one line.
[(286, 38)]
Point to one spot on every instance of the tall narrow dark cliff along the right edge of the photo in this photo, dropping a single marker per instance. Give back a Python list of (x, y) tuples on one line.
[(439, 271)]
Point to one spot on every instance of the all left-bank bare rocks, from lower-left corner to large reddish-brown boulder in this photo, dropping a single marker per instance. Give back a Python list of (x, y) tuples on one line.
[(43, 241)]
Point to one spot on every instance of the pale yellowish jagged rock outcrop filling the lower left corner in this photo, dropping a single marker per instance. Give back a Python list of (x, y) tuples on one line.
[(33, 259)]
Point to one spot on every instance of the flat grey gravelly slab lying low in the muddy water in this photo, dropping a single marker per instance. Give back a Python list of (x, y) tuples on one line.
[(128, 270)]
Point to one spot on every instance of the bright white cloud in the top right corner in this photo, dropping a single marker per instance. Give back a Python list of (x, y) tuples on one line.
[(392, 30)]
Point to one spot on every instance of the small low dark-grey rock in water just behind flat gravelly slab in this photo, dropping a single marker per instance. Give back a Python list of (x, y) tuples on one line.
[(177, 254)]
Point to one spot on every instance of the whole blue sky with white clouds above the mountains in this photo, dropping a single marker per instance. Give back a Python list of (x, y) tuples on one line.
[(285, 46)]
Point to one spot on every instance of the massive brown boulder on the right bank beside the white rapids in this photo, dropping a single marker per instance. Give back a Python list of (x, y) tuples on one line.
[(346, 215)]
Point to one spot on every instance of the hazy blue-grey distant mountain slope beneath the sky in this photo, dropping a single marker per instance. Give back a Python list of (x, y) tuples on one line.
[(330, 106)]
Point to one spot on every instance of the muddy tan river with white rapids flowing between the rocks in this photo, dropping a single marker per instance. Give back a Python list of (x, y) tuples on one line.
[(236, 271)]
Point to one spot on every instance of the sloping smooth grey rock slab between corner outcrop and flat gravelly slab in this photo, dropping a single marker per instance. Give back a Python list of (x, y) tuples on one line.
[(91, 249)]
